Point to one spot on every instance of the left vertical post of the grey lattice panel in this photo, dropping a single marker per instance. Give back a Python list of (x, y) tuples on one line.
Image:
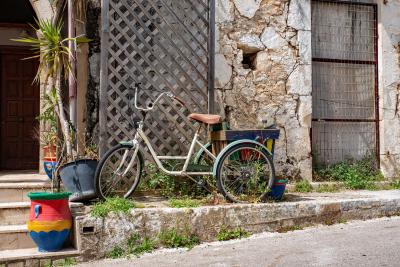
[(105, 30)]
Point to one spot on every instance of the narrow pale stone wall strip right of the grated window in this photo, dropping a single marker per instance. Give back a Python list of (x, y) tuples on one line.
[(389, 66)]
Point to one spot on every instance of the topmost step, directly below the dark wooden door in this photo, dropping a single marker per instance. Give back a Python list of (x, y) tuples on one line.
[(18, 191)]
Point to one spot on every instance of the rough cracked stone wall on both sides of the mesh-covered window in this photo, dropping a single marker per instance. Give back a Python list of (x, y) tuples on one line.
[(264, 71)]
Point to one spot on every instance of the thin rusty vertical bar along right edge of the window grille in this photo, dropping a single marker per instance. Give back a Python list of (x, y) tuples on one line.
[(376, 87)]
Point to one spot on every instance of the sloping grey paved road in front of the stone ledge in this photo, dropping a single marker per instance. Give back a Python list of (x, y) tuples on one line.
[(369, 243)]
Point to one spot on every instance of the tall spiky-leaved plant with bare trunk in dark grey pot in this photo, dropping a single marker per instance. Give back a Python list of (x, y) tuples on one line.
[(54, 55)]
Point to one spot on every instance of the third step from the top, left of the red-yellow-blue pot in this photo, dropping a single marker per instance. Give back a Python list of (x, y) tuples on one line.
[(15, 237)]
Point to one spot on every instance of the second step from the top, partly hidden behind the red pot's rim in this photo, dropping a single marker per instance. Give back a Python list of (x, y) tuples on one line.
[(17, 213)]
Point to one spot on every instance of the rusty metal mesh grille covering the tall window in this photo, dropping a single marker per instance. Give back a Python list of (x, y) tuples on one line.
[(345, 82)]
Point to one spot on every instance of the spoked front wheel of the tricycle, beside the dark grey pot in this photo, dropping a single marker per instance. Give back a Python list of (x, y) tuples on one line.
[(119, 172)]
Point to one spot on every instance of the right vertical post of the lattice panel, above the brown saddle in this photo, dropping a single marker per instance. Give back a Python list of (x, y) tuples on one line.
[(211, 59)]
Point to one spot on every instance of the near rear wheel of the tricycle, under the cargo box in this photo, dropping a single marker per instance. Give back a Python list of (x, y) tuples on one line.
[(245, 173)]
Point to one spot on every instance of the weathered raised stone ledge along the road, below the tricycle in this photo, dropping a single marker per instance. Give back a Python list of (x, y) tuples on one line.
[(99, 236)]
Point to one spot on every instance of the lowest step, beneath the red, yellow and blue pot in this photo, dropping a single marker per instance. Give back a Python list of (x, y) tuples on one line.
[(32, 257)]
